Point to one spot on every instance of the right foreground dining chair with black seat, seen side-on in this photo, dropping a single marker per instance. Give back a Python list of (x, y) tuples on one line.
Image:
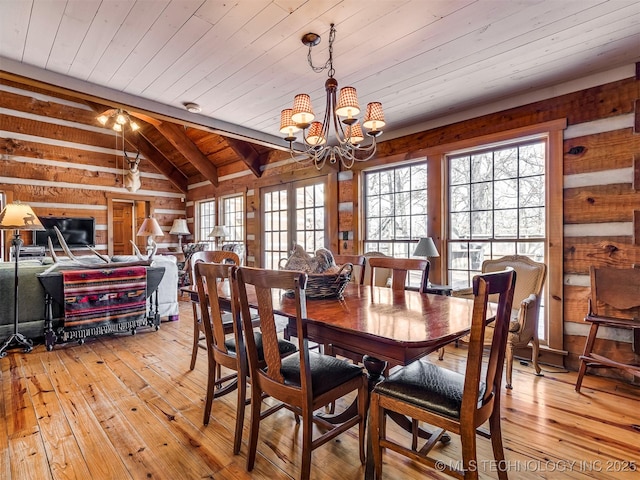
[(447, 400)]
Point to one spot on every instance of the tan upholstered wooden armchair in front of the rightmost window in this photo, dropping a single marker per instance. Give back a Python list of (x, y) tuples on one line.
[(523, 329)]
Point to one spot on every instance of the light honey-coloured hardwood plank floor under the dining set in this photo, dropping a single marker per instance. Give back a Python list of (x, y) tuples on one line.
[(128, 407)]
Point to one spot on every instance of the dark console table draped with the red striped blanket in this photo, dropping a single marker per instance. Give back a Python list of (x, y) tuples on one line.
[(54, 293)]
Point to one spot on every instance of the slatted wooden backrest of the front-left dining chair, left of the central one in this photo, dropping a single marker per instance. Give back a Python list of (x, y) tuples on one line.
[(207, 276)]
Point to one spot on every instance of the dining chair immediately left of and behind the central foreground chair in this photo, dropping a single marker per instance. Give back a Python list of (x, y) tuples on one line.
[(223, 350)]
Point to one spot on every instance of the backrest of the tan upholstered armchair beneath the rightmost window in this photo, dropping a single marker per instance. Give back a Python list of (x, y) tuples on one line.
[(531, 275)]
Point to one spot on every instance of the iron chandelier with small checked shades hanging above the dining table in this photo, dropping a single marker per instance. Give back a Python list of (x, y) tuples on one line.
[(347, 129)]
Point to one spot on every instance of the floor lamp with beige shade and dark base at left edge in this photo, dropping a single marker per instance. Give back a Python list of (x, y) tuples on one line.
[(17, 216)]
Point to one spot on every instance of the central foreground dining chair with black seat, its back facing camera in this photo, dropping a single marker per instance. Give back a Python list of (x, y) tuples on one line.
[(305, 381)]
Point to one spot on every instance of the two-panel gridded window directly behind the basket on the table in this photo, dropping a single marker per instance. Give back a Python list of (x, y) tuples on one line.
[(293, 212)]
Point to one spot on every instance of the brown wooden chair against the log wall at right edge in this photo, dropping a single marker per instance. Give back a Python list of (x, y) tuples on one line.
[(614, 302)]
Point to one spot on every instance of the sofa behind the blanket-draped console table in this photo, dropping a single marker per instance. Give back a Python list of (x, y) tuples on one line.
[(31, 306)]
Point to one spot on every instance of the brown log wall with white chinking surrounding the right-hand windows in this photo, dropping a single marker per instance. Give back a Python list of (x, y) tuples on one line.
[(601, 160)]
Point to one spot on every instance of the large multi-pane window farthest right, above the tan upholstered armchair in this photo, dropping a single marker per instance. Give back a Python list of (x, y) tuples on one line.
[(496, 207)]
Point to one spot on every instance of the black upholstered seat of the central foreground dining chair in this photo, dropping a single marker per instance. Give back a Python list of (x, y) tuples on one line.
[(326, 372)]
